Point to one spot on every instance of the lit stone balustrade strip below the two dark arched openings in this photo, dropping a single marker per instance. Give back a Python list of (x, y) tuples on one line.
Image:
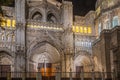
[(36, 24)]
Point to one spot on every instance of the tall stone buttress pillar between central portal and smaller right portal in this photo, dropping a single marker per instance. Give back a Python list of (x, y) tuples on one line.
[(68, 35)]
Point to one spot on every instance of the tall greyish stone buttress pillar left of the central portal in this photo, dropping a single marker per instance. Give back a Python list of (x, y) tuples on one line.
[(20, 36)]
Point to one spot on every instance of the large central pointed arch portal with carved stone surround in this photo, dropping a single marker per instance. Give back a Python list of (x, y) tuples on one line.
[(44, 57)]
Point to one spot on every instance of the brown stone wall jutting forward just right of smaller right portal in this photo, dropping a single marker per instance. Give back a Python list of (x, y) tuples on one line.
[(101, 50)]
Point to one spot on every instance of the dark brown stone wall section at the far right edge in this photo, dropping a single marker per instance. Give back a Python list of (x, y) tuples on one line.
[(114, 47)]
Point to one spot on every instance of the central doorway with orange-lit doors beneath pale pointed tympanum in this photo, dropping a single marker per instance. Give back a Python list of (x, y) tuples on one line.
[(45, 67)]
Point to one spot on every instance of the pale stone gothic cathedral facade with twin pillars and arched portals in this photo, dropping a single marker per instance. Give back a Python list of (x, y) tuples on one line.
[(40, 33)]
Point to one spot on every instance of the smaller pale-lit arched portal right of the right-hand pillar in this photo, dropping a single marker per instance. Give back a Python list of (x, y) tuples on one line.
[(83, 62)]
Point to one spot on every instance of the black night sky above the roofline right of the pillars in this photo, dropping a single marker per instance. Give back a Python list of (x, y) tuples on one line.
[(82, 7)]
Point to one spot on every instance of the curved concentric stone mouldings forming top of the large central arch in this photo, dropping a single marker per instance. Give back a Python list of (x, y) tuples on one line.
[(45, 48)]
